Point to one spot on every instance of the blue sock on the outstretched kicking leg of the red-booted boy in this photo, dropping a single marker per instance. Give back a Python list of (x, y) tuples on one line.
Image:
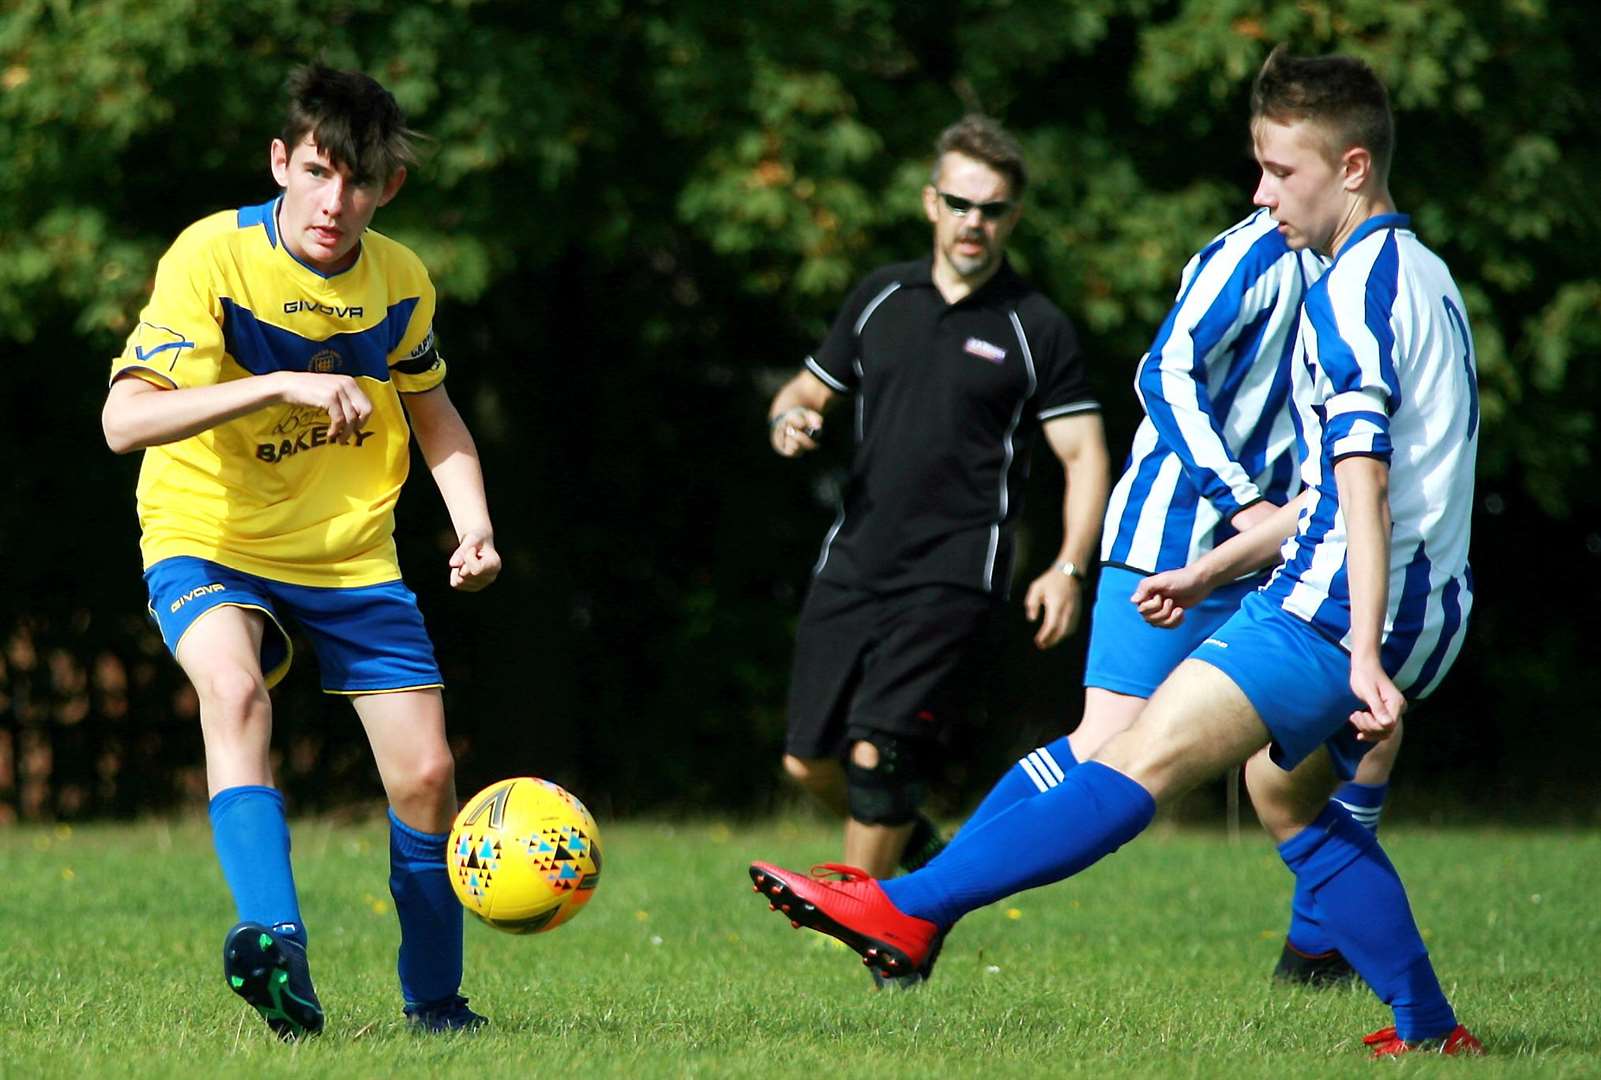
[(1038, 841)]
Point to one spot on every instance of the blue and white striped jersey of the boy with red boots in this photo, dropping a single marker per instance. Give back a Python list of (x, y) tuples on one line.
[(1384, 367)]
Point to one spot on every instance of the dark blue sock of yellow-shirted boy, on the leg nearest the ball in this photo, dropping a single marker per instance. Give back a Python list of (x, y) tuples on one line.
[(430, 914)]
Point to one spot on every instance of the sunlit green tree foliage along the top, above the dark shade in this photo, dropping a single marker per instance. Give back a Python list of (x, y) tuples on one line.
[(792, 145)]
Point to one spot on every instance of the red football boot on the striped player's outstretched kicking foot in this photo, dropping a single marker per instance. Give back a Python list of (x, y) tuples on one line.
[(853, 910)]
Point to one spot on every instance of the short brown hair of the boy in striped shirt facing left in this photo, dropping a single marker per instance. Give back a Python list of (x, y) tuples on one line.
[(1341, 94)]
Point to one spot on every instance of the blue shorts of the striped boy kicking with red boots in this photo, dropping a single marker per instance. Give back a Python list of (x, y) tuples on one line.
[(1298, 681)]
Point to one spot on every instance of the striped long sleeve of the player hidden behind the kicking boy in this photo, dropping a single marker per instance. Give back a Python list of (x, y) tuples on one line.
[(1226, 289)]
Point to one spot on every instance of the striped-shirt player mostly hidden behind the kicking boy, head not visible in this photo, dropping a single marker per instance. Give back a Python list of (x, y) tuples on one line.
[(1214, 455)]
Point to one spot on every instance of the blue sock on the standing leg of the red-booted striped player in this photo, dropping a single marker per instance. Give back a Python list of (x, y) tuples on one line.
[(1366, 914)]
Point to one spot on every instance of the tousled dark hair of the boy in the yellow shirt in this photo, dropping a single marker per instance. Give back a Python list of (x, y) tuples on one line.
[(351, 119)]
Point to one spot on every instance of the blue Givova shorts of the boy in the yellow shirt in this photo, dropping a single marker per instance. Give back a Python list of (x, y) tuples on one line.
[(367, 639)]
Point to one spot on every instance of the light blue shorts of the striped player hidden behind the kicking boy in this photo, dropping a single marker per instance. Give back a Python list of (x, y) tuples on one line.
[(1131, 657)]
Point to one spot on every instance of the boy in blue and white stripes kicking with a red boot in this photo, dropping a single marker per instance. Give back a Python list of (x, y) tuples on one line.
[(1366, 606)]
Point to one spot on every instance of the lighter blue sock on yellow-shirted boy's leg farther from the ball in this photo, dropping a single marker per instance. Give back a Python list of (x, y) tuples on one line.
[(252, 842)]
